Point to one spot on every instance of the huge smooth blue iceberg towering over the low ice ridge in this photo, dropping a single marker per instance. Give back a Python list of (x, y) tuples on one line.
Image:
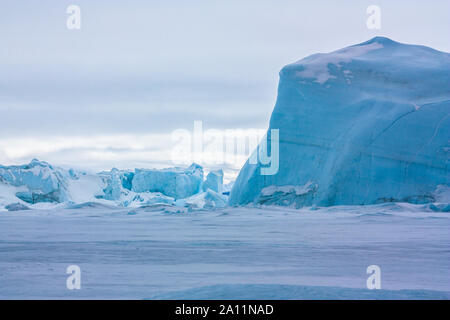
[(365, 124)]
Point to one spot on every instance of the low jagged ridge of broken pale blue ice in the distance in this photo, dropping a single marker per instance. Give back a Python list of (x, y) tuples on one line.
[(38, 182)]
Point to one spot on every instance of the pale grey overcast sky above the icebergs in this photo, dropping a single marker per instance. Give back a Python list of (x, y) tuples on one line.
[(137, 70)]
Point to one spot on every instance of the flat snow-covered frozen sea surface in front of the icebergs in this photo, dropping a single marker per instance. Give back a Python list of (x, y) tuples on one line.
[(242, 253)]
